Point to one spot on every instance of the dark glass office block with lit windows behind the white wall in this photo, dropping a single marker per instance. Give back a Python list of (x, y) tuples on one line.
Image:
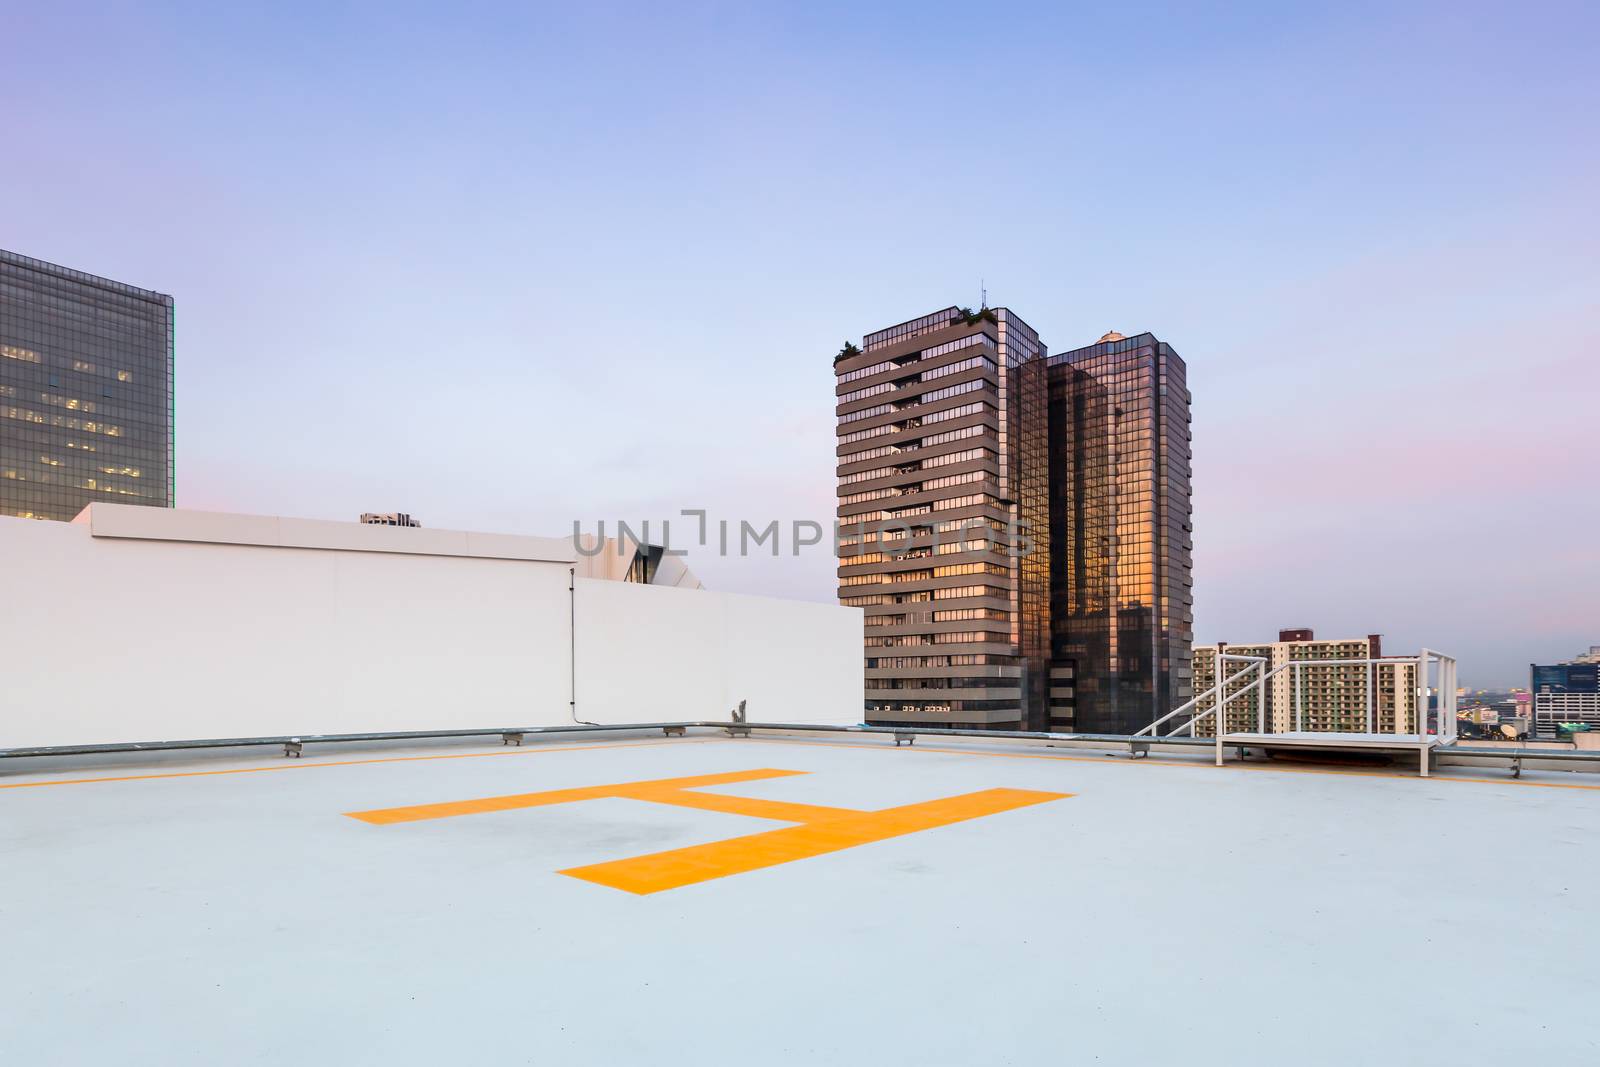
[(86, 391)]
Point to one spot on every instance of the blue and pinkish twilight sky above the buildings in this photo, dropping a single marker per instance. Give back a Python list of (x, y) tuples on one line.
[(506, 265)]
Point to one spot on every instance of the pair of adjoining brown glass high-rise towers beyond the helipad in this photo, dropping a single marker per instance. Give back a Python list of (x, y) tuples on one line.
[(962, 439)]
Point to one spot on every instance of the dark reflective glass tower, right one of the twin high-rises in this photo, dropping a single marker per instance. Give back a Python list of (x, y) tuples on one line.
[(1122, 604)]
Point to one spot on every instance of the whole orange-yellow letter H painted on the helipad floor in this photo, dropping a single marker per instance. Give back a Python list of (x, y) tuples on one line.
[(818, 829)]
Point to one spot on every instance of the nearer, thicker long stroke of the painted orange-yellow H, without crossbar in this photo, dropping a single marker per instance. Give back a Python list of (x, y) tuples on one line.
[(719, 860)]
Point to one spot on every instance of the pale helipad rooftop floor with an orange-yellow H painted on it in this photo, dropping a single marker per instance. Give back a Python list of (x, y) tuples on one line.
[(796, 900)]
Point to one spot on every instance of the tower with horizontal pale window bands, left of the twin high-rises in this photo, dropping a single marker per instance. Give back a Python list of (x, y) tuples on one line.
[(927, 418)]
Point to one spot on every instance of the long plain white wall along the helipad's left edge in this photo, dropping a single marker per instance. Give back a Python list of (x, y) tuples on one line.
[(148, 625)]
